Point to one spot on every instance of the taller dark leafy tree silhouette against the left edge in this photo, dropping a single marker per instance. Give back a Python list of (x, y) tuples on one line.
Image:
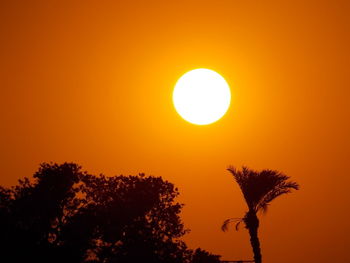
[(33, 212)]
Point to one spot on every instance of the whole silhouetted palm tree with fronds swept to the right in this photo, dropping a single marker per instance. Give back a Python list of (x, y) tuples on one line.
[(259, 188)]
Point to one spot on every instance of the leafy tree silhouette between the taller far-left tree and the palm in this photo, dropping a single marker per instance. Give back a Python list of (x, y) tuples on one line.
[(148, 223)]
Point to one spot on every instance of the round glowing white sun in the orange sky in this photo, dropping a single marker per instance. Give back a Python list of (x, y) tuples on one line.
[(201, 96)]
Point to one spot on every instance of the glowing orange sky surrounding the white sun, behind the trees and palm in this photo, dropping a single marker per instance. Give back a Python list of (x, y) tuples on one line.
[(91, 82)]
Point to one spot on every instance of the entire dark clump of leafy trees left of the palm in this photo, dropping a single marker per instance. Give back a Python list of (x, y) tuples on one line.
[(67, 215)]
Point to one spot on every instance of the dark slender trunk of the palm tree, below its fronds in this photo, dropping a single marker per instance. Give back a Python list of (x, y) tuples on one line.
[(252, 224)]
